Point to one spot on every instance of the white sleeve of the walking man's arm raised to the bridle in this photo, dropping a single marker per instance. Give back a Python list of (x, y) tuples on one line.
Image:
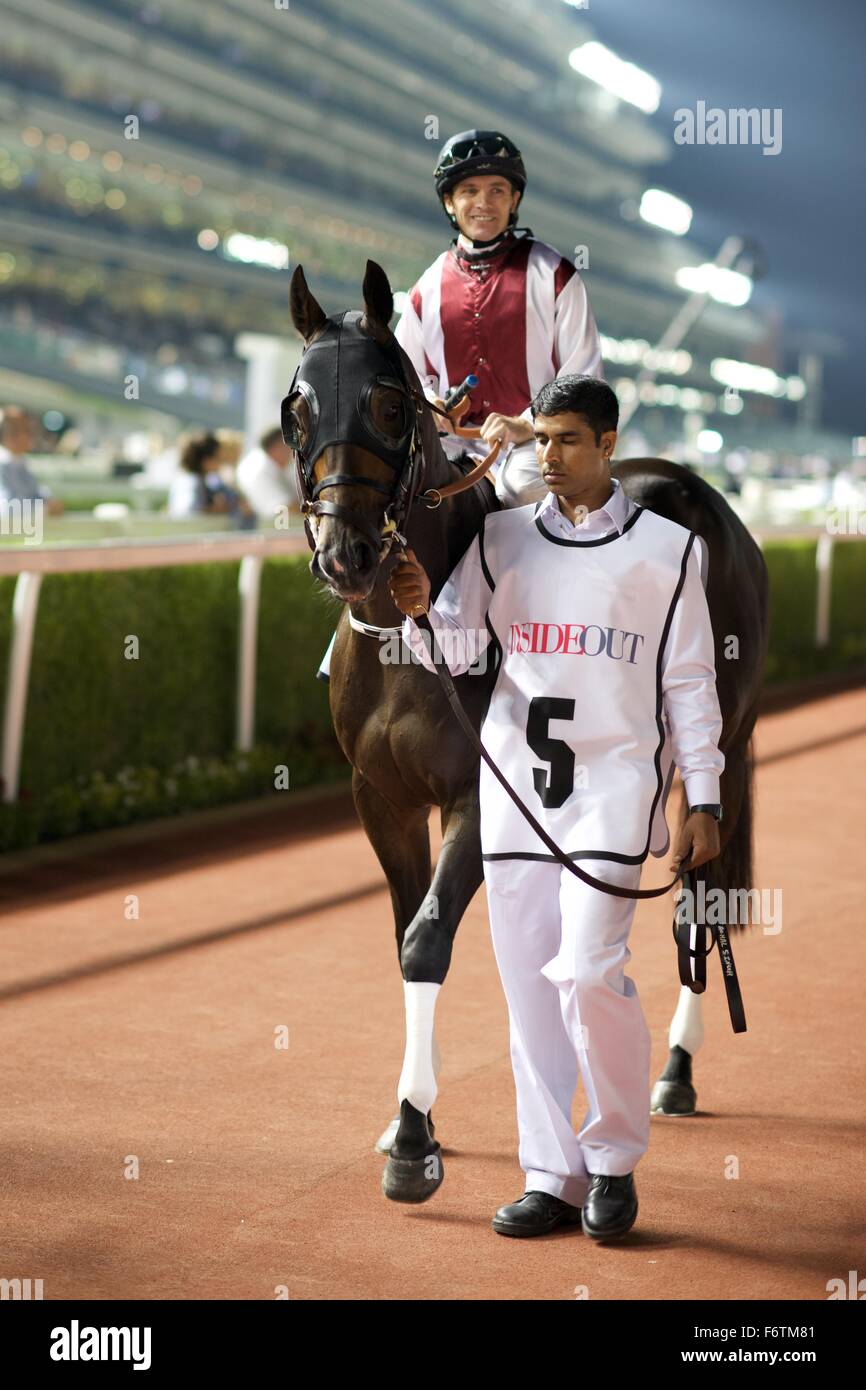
[(458, 616)]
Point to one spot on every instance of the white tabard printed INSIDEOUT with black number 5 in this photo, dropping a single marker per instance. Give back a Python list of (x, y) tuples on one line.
[(578, 719)]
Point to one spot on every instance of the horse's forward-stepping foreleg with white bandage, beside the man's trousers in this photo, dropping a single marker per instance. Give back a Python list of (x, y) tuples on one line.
[(415, 1166)]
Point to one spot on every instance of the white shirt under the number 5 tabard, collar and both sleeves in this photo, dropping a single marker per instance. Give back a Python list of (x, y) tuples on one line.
[(689, 667)]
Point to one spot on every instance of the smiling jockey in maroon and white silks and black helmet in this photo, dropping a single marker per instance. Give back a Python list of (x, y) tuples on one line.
[(503, 306)]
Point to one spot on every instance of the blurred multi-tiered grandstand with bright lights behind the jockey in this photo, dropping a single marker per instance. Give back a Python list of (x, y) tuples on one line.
[(268, 137)]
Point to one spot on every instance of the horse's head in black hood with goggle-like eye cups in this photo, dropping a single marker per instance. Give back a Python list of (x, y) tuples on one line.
[(354, 418)]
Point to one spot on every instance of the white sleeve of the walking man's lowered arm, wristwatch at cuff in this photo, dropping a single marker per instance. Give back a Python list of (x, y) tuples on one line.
[(689, 685)]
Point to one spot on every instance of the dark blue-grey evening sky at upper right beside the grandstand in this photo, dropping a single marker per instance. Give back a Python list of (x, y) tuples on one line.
[(807, 205)]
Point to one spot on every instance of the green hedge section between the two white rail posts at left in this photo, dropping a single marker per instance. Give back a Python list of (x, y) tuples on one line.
[(92, 708)]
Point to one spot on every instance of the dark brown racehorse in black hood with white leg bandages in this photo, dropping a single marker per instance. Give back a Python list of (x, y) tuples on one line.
[(391, 717)]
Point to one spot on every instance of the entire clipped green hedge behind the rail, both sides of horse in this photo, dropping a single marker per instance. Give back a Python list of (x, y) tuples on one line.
[(112, 740)]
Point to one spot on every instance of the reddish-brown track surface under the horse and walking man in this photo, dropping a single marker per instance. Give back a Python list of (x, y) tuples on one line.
[(155, 1039)]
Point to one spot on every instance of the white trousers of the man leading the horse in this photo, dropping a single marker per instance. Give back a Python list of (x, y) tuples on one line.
[(562, 949)]
